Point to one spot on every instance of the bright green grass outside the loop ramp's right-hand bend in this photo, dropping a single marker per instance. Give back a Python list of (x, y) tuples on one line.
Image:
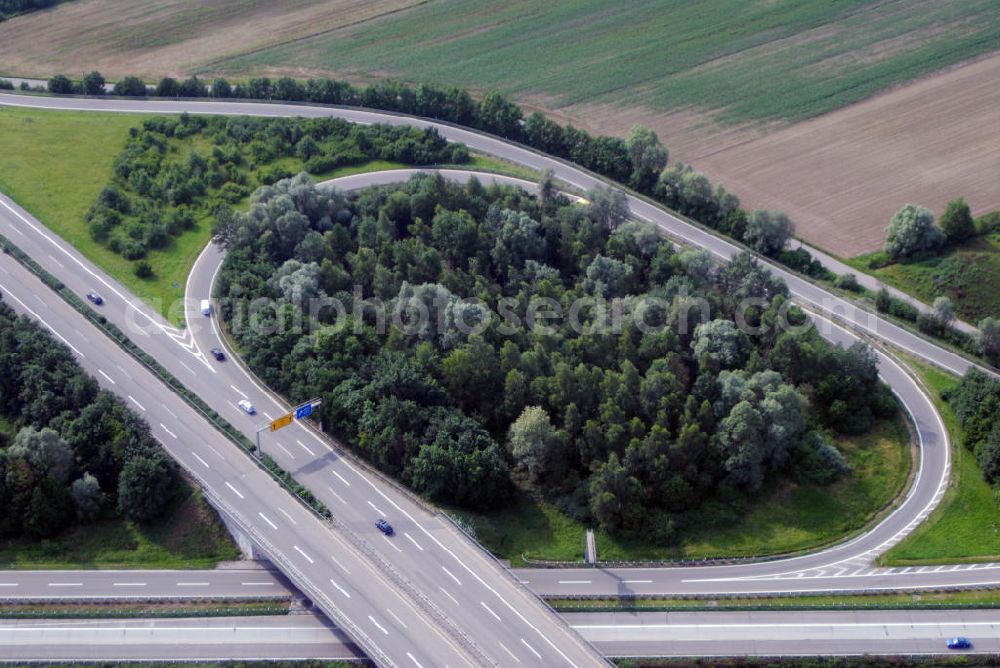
[(966, 526)]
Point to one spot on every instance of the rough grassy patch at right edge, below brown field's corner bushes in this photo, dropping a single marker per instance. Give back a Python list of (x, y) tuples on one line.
[(969, 274)]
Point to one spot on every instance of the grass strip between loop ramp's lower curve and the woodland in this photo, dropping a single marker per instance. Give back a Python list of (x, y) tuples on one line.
[(786, 518)]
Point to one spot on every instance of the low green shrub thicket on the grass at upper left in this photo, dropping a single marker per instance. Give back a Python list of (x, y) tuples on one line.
[(158, 189)]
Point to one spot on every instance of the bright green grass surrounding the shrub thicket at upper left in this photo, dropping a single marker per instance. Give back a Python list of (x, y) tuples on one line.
[(54, 164)]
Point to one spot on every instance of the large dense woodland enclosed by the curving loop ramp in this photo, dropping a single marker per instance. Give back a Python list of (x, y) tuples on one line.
[(672, 416)]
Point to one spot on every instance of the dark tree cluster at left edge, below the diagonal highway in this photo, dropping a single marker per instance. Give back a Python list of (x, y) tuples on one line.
[(78, 450)]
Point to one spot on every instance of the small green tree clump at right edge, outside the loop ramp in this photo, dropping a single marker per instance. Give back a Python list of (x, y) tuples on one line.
[(976, 401)]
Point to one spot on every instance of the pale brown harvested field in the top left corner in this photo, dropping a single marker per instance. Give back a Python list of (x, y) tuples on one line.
[(154, 38)]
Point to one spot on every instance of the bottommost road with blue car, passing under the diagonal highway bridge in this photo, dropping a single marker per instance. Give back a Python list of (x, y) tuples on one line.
[(653, 634)]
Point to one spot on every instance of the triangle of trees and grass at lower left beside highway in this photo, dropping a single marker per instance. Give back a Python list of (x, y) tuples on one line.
[(82, 481)]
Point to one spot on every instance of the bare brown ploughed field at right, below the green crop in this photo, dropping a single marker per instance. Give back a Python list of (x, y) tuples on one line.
[(843, 175)]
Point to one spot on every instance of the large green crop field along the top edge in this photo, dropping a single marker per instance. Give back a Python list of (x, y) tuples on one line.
[(790, 59)]
